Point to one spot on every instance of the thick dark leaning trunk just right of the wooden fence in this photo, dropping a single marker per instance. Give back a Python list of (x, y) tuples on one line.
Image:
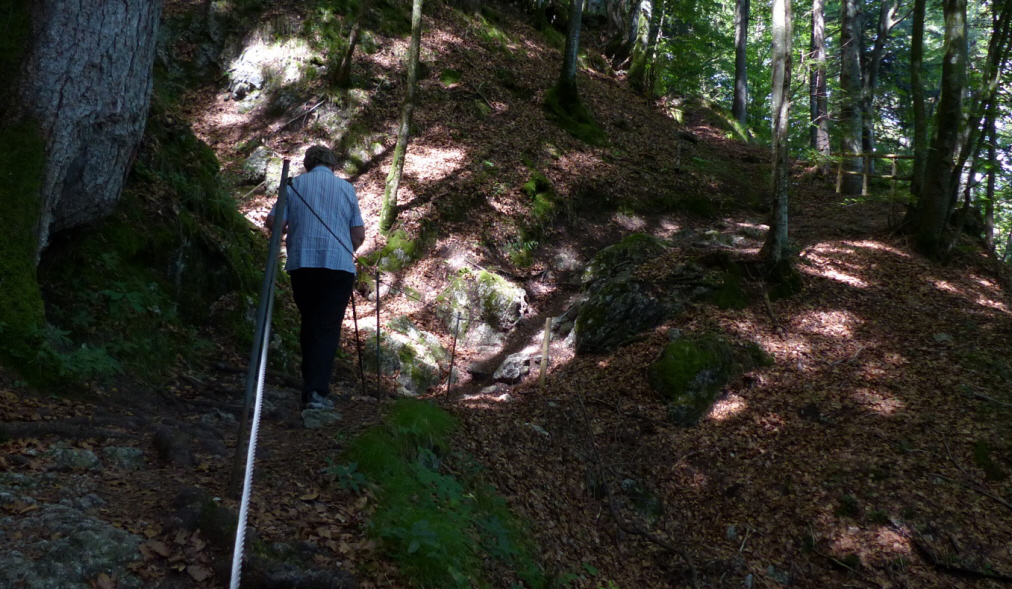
[(936, 192)]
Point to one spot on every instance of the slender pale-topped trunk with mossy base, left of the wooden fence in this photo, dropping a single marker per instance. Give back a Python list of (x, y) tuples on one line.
[(776, 248)]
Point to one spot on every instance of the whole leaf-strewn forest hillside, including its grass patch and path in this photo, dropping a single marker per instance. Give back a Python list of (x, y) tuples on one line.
[(862, 441)]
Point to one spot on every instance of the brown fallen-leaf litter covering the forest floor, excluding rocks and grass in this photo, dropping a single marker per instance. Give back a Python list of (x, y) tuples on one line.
[(874, 453)]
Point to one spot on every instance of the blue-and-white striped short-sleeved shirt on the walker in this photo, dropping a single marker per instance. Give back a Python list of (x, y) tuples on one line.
[(333, 201)]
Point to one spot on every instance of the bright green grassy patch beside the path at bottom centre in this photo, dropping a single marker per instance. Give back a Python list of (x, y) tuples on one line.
[(435, 516)]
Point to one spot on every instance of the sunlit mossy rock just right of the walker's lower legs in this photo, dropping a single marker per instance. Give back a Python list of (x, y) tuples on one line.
[(413, 357)]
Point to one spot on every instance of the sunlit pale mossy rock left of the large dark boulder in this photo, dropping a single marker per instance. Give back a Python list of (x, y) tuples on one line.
[(482, 297)]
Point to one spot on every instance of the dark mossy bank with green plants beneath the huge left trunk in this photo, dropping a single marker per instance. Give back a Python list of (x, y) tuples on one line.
[(134, 293)]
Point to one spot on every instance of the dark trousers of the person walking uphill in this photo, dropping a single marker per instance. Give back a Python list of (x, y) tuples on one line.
[(322, 296)]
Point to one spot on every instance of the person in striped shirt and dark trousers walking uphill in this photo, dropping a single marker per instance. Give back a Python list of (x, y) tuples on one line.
[(325, 228)]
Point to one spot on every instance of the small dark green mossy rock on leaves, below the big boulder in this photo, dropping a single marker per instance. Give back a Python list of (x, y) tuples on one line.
[(692, 372)]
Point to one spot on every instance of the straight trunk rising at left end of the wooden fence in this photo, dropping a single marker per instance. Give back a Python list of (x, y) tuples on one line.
[(851, 88)]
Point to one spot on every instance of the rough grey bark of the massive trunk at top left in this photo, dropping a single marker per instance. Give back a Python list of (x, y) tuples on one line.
[(88, 85)]
